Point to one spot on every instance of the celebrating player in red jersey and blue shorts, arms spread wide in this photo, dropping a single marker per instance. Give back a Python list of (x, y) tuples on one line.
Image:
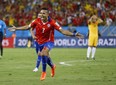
[(44, 27)]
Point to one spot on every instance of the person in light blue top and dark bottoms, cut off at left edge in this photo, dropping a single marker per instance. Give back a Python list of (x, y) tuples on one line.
[(2, 35)]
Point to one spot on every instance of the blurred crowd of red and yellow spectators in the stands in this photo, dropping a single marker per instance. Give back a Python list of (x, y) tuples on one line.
[(65, 12)]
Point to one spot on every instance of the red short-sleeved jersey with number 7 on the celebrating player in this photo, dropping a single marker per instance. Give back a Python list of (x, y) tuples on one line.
[(44, 31)]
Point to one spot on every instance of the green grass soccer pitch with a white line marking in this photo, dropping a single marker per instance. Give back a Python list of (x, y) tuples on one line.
[(72, 67)]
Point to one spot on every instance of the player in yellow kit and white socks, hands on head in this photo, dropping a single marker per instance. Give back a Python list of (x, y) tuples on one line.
[(93, 35)]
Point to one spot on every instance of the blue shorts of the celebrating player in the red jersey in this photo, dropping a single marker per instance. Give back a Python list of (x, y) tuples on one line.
[(39, 47)]
